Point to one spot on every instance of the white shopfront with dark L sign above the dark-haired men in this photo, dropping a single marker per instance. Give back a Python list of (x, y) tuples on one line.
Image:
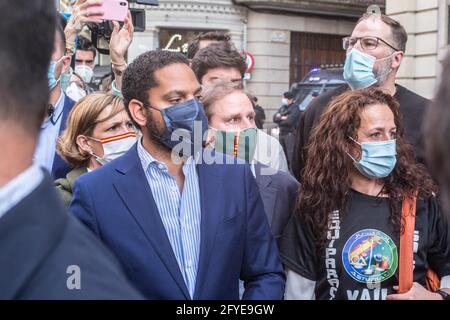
[(173, 22)]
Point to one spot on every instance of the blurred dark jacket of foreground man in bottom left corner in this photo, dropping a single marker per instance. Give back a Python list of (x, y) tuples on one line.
[(39, 241)]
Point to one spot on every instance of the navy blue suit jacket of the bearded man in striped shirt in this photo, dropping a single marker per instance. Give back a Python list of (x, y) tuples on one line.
[(116, 203)]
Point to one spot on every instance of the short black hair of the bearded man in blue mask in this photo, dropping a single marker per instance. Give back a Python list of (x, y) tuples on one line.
[(139, 77)]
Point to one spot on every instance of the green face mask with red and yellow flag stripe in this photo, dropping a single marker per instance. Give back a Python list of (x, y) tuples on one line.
[(241, 144)]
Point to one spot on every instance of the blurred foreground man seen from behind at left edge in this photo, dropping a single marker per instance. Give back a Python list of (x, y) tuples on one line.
[(45, 253)]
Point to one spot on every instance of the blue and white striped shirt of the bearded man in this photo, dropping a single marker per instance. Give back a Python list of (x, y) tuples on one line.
[(180, 212)]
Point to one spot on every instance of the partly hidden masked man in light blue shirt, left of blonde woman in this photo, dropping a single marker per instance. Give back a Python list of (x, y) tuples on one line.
[(58, 110)]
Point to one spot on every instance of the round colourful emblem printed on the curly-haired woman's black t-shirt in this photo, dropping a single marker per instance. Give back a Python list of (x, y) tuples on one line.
[(370, 256)]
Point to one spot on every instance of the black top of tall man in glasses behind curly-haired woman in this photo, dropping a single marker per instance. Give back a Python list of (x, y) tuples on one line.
[(412, 110)]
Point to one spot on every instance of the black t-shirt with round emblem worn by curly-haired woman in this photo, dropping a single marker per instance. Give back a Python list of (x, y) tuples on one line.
[(360, 260)]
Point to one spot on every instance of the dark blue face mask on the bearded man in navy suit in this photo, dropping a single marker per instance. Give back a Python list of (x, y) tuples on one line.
[(186, 120)]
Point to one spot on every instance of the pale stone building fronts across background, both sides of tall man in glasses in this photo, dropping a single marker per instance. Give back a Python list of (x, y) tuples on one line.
[(289, 37)]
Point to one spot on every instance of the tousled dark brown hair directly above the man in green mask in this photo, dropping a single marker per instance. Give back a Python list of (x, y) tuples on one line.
[(217, 56)]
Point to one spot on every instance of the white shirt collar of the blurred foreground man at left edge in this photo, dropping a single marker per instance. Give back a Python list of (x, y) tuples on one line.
[(20, 187)]
